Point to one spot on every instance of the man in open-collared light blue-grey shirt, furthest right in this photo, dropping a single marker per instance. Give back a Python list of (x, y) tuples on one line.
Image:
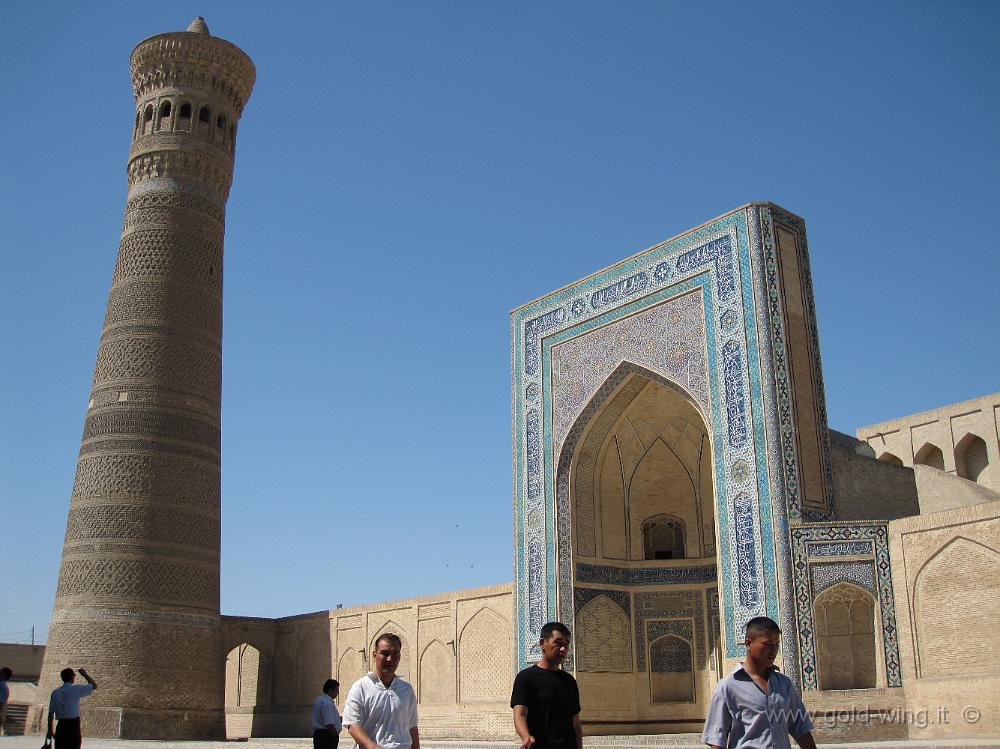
[(756, 706)]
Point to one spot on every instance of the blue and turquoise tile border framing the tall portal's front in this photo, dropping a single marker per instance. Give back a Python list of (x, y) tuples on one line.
[(726, 261)]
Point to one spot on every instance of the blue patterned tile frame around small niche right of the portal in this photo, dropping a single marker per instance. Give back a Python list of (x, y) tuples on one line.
[(812, 547)]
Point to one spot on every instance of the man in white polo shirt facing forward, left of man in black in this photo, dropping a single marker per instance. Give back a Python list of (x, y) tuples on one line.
[(381, 708)]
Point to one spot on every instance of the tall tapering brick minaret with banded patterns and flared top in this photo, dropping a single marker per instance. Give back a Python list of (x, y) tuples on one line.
[(137, 602)]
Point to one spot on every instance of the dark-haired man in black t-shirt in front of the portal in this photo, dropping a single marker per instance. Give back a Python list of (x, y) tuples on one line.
[(546, 699)]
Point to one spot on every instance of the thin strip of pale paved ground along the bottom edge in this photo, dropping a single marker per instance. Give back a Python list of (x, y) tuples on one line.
[(675, 741)]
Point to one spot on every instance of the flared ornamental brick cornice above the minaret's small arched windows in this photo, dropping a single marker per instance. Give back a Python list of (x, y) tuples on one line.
[(184, 59)]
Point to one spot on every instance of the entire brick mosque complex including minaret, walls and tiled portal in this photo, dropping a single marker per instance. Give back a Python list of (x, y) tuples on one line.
[(674, 475)]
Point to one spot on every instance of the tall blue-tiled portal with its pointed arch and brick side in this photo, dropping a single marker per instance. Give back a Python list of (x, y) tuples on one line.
[(671, 405)]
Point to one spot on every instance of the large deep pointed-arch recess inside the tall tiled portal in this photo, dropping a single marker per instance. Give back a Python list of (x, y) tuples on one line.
[(640, 455)]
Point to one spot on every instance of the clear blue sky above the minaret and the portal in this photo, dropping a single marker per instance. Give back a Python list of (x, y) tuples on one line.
[(409, 172)]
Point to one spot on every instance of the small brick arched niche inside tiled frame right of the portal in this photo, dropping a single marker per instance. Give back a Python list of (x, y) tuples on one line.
[(846, 651)]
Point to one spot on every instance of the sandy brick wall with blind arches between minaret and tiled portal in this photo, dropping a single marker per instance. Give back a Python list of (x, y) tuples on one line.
[(457, 654)]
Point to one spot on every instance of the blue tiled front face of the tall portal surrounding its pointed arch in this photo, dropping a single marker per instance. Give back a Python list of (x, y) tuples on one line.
[(749, 406)]
